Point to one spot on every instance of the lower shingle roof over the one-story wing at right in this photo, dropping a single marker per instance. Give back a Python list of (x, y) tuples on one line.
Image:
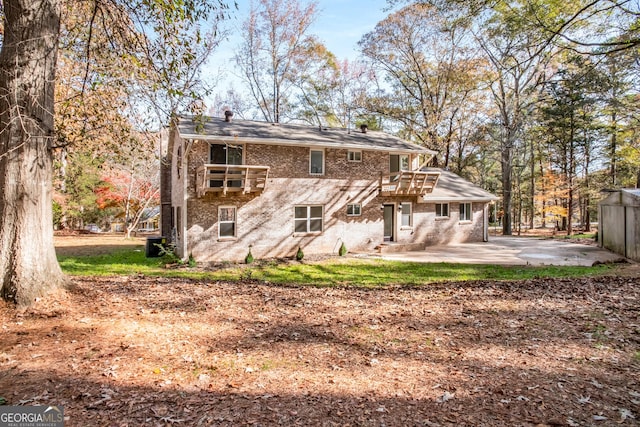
[(453, 187)]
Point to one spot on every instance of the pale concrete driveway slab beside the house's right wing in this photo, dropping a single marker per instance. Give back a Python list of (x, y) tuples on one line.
[(509, 250)]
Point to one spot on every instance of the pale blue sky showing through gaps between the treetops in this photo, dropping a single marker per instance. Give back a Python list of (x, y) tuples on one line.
[(340, 25)]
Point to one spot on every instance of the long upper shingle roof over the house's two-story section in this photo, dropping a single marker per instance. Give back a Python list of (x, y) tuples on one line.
[(217, 129)]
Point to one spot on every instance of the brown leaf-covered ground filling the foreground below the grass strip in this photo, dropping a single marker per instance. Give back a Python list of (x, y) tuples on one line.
[(138, 351)]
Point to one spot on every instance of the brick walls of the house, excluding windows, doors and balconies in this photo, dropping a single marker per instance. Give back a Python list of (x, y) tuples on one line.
[(265, 221)]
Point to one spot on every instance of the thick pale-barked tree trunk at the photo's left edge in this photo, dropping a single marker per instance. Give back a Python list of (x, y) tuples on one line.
[(28, 265)]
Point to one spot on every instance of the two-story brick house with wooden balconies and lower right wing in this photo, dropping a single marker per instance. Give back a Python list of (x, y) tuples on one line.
[(273, 188)]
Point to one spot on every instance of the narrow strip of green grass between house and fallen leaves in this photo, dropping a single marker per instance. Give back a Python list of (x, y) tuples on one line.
[(332, 272)]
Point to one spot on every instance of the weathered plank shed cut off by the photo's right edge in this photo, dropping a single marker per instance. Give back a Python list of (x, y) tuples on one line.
[(619, 223)]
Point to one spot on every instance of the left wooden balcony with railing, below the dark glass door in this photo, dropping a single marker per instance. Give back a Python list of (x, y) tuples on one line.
[(226, 179)]
